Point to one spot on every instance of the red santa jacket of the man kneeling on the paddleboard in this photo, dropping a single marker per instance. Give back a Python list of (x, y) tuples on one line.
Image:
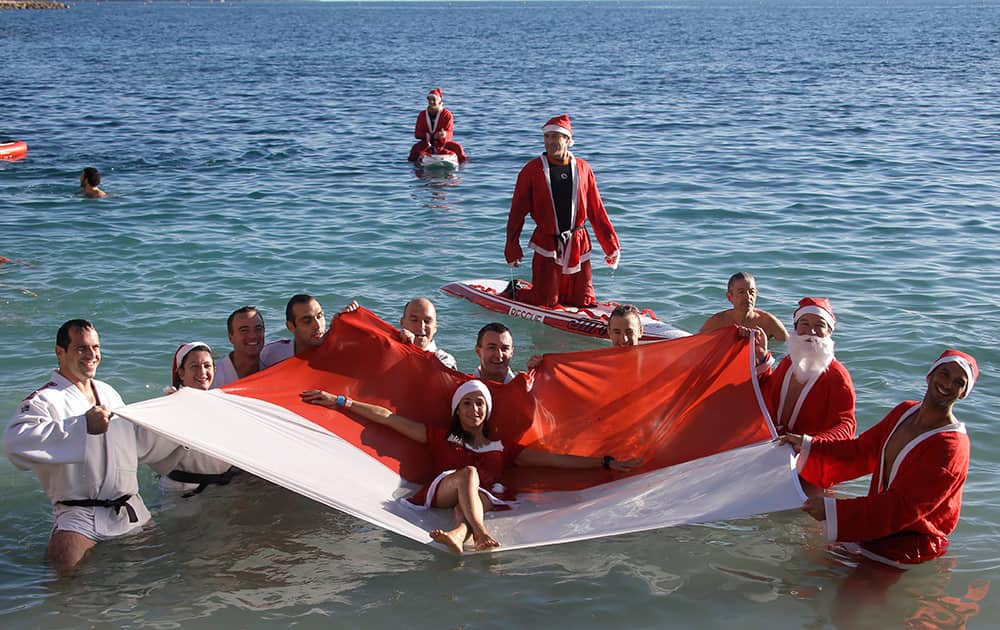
[(533, 195)]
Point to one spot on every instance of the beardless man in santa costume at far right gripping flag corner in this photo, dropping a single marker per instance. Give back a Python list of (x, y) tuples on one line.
[(918, 457)]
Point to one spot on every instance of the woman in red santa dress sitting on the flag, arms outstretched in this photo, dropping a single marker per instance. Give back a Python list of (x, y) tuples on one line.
[(468, 463)]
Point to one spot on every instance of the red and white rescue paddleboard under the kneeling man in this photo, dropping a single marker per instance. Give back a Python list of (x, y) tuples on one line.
[(591, 321)]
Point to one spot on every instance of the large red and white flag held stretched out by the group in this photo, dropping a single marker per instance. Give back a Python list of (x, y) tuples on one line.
[(689, 409)]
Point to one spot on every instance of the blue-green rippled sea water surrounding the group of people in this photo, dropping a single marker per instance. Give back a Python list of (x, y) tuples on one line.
[(256, 150)]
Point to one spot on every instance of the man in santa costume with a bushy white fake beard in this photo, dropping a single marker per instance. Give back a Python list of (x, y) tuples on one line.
[(809, 391)]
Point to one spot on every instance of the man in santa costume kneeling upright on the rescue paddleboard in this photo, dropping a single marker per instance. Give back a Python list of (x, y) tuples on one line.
[(560, 193)]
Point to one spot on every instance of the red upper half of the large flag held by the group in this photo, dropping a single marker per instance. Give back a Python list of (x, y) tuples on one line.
[(665, 403)]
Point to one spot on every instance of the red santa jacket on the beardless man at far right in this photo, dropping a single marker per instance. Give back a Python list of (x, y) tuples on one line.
[(909, 510)]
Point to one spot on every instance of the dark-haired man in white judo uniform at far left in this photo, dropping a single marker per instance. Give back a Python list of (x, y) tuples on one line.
[(84, 456)]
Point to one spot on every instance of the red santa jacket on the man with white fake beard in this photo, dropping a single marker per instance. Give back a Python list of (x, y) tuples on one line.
[(825, 406)]
